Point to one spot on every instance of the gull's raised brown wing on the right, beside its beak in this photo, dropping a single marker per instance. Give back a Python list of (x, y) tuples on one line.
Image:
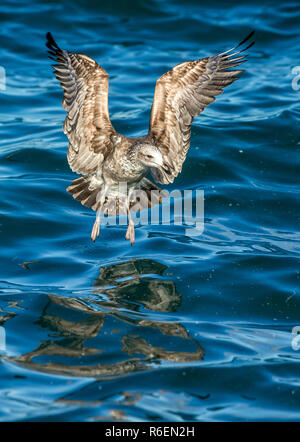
[(180, 95)]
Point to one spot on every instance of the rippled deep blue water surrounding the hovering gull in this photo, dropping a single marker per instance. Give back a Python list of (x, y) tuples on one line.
[(175, 328)]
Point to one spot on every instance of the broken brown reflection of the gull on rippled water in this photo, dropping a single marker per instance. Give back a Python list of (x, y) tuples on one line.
[(121, 292)]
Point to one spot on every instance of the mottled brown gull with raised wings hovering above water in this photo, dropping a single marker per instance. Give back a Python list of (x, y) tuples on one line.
[(105, 158)]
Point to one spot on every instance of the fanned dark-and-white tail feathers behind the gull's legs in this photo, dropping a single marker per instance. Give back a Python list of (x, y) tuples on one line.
[(147, 196)]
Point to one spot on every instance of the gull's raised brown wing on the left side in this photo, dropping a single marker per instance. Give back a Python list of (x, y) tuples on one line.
[(87, 124)]
